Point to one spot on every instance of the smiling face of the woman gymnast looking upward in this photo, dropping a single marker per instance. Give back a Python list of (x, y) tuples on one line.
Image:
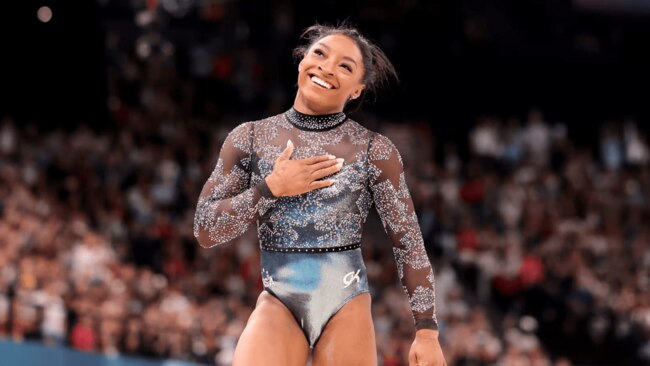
[(329, 74)]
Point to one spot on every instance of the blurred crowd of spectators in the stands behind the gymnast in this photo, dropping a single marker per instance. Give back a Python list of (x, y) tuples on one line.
[(540, 249)]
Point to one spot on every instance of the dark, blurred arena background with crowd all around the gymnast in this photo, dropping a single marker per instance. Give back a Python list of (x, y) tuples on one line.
[(523, 127)]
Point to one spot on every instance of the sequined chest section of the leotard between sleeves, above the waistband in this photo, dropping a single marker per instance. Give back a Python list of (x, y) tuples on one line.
[(326, 217)]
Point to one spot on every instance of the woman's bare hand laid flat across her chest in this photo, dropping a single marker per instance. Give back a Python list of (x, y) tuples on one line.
[(294, 177)]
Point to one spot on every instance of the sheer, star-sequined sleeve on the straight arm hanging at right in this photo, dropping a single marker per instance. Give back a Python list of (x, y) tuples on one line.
[(395, 207)]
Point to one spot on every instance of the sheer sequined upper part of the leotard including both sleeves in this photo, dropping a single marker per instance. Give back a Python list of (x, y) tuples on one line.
[(232, 198)]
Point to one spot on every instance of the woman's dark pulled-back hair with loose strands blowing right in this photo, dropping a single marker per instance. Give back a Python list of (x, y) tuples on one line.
[(378, 70)]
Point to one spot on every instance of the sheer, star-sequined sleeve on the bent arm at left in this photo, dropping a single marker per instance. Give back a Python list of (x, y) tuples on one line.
[(227, 205)]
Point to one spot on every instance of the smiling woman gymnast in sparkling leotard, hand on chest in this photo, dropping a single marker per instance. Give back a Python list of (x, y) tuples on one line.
[(309, 177)]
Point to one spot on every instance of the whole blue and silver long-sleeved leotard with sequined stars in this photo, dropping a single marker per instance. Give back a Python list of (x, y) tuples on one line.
[(310, 243)]
